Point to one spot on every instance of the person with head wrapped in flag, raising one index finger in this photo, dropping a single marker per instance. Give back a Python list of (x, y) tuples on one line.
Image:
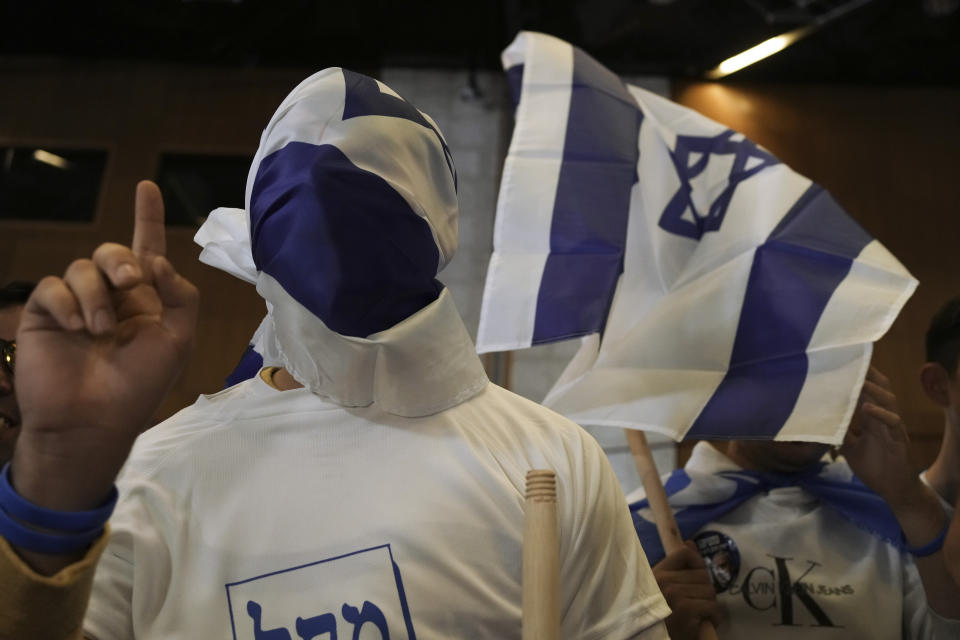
[(367, 482)]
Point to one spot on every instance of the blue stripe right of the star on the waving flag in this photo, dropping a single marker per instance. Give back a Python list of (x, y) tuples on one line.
[(793, 275)]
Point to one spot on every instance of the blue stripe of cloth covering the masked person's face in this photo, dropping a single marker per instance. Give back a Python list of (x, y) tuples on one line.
[(340, 240)]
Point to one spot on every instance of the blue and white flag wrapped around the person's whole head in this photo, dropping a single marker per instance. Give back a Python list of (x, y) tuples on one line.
[(351, 211)]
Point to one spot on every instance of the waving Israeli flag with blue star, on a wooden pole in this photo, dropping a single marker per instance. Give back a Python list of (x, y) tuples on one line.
[(719, 294)]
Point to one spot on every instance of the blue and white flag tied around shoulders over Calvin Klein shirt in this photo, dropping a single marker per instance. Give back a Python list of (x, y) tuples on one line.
[(850, 498)]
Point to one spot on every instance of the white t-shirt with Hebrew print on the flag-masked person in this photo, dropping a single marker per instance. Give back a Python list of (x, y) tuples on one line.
[(259, 514)]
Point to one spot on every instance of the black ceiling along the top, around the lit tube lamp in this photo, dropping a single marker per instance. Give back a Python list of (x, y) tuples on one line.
[(872, 42)]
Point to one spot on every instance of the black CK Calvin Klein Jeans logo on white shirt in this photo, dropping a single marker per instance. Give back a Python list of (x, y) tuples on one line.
[(789, 589)]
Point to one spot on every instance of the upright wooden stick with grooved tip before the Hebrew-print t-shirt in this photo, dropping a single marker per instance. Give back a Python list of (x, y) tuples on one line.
[(541, 565)]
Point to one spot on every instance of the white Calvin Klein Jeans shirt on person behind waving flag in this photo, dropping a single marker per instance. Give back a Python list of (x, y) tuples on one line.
[(793, 568)]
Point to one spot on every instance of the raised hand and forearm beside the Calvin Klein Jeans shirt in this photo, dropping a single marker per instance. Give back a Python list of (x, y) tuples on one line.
[(876, 448)]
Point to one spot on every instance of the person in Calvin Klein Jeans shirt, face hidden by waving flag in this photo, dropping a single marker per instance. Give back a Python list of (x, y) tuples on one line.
[(782, 539)]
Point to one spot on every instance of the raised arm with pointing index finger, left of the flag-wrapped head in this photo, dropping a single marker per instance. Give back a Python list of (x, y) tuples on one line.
[(96, 352)]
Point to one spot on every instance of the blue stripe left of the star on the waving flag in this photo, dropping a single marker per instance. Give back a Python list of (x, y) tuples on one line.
[(589, 226)]
